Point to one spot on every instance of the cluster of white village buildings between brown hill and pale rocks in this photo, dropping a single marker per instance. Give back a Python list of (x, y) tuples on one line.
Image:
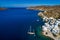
[(52, 24)]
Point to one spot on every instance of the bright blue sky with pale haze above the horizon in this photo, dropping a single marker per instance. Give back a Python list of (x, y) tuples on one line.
[(26, 3)]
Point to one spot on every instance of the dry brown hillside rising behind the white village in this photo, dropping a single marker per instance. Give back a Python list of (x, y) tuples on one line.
[(49, 11)]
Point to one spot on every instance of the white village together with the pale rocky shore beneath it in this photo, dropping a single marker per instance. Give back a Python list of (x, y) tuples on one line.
[(51, 28)]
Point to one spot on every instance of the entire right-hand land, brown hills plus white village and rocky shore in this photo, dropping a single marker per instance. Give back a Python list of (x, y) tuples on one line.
[(51, 16)]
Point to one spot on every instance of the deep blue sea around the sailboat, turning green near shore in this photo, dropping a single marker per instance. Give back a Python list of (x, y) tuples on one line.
[(15, 23)]
